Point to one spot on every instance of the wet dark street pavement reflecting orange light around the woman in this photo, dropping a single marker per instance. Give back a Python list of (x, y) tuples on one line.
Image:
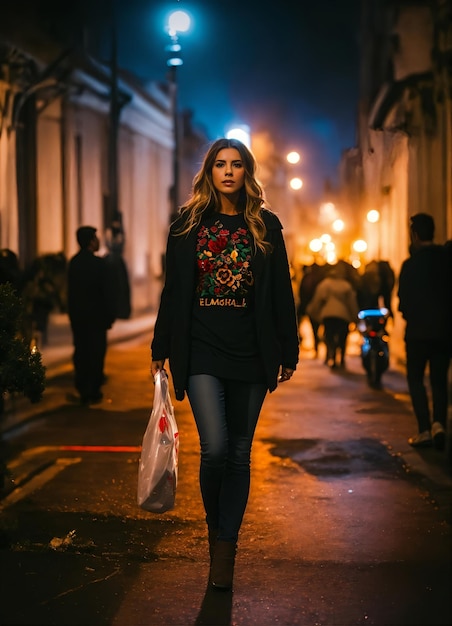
[(346, 524)]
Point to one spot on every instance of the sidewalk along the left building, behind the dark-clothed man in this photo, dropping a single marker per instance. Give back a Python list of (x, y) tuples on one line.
[(57, 358)]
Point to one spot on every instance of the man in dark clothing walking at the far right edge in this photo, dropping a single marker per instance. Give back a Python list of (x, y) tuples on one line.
[(425, 303)]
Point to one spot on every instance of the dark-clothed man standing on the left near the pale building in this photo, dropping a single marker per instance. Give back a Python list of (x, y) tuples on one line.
[(91, 313)]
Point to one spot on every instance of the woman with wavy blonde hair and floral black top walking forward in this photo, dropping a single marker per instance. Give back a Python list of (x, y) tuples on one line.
[(227, 323)]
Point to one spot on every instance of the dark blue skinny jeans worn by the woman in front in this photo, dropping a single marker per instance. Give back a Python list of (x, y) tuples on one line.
[(226, 414)]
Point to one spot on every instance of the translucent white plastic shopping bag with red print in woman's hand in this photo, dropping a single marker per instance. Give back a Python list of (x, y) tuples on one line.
[(157, 472)]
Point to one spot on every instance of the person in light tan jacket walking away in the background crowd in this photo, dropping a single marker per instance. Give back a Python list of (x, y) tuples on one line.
[(335, 305)]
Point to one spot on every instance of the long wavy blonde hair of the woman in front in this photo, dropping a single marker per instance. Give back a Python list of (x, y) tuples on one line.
[(205, 198)]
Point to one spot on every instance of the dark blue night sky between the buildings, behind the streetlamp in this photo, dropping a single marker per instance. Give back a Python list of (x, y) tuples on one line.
[(289, 67)]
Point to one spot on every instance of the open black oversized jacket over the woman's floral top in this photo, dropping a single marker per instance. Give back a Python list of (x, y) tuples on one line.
[(276, 325)]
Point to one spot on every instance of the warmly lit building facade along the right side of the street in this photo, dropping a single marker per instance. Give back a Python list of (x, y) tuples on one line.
[(402, 163)]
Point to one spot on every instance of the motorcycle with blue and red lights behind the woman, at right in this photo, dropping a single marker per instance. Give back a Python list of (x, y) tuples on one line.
[(375, 346)]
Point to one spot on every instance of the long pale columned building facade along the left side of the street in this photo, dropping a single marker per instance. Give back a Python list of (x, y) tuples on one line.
[(55, 153)]
